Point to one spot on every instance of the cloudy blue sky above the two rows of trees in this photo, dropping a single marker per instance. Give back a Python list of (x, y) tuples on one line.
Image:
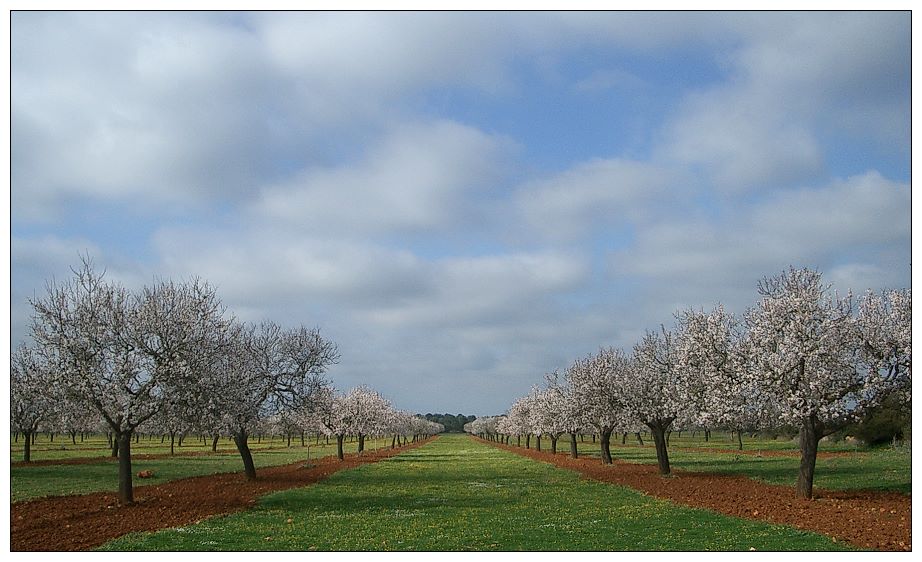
[(463, 202)]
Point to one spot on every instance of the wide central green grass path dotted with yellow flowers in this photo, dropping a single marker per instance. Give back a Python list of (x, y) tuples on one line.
[(457, 494)]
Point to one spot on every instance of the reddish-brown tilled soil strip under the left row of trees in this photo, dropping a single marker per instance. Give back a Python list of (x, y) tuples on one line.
[(87, 521)]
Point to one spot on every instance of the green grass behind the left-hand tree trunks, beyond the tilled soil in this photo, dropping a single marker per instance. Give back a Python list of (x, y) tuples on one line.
[(29, 482)]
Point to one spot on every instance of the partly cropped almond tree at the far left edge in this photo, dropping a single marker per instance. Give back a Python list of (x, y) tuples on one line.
[(31, 399)]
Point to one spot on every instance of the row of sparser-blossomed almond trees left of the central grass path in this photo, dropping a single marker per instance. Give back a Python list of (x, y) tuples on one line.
[(170, 355)]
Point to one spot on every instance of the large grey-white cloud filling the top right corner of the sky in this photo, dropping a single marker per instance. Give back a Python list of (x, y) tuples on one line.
[(794, 79)]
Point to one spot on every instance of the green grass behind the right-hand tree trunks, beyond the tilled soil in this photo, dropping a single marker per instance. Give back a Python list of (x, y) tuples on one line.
[(881, 469)]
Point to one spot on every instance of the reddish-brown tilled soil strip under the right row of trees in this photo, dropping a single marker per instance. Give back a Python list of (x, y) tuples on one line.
[(865, 519)]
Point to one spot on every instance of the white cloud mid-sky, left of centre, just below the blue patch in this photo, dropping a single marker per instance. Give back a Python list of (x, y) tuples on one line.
[(421, 176)]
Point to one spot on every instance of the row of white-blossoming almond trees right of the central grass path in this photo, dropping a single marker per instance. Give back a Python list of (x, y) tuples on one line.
[(803, 356)]
